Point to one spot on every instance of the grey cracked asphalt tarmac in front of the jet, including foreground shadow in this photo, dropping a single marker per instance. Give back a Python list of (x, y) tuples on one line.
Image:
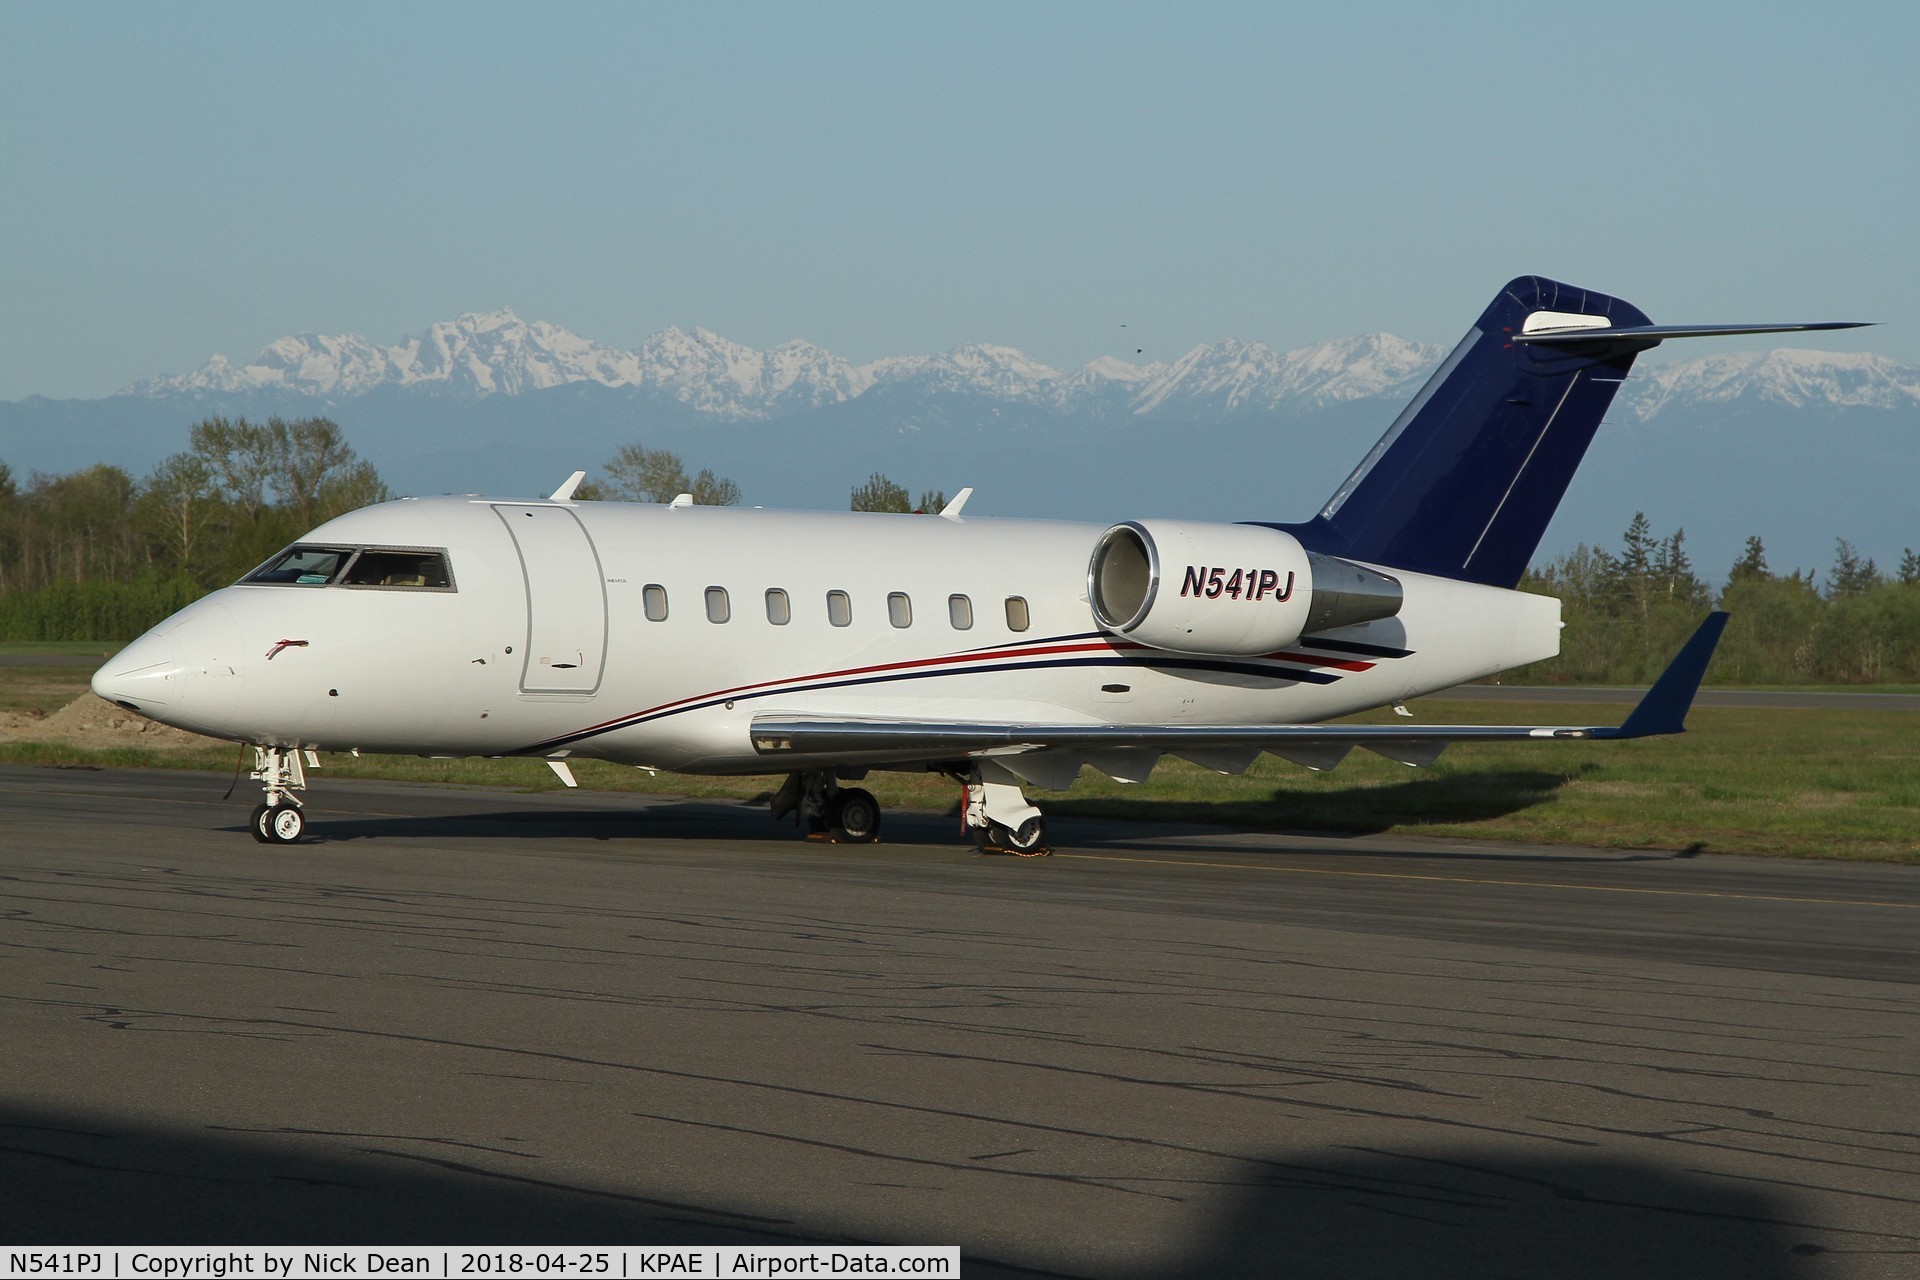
[(473, 1016)]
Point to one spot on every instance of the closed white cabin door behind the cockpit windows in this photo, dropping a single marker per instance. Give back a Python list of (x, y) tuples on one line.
[(565, 600)]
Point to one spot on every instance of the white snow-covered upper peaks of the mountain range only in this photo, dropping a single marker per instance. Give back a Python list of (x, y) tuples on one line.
[(500, 354)]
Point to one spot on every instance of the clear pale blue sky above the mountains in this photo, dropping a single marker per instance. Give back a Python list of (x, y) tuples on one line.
[(905, 178)]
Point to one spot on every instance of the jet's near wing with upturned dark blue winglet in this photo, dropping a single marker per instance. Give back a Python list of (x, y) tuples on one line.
[(1662, 711)]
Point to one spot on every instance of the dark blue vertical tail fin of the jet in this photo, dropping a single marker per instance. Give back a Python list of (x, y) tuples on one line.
[(1470, 475)]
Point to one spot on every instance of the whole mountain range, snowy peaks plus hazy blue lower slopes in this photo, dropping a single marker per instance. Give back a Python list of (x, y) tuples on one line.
[(1798, 446)]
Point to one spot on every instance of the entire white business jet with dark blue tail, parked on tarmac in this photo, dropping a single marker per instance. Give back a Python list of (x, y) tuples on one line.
[(1003, 653)]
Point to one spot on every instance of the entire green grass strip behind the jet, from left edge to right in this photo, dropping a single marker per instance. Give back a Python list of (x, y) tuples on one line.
[(1813, 784)]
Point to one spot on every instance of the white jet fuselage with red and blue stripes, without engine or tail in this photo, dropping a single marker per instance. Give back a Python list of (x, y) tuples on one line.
[(542, 642)]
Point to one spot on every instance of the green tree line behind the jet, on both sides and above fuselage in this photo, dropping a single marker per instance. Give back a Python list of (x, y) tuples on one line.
[(101, 554)]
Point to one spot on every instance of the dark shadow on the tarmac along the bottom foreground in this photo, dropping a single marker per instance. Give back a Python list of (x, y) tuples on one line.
[(1435, 1214)]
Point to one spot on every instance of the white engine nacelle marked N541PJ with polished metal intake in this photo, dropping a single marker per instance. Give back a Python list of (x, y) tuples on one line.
[(1226, 590)]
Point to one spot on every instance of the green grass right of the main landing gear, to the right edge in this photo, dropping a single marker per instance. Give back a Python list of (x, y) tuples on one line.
[(1819, 784)]
